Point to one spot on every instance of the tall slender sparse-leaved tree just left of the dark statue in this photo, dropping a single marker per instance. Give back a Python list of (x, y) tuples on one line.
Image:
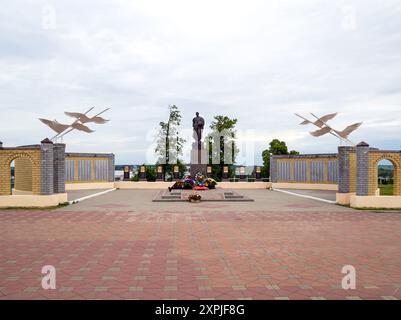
[(169, 143)]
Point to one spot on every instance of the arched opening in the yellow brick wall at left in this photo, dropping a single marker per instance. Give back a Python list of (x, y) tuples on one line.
[(21, 176)]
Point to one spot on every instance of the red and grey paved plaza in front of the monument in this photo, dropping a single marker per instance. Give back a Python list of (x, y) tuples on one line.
[(121, 245)]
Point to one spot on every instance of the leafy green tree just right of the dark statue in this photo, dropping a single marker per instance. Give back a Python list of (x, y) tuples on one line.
[(223, 134)]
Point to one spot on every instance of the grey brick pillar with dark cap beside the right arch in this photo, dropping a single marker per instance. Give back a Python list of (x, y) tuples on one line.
[(362, 169)]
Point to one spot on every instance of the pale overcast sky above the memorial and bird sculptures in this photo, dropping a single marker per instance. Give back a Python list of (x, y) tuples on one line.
[(257, 61)]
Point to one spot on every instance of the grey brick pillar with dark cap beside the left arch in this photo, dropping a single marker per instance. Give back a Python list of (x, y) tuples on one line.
[(46, 167)]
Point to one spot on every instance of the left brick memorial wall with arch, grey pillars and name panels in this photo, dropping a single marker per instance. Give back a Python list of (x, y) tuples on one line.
[(42, 168)]
